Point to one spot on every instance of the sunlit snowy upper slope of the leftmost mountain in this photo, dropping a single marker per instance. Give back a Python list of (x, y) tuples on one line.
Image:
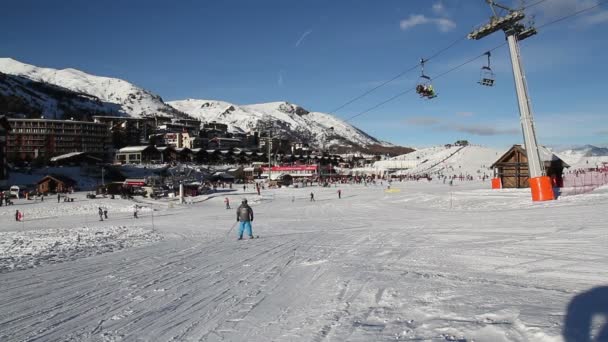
[(115, 96)]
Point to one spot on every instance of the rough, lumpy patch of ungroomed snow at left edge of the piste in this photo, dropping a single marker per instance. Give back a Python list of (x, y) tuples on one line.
[(33, 248)]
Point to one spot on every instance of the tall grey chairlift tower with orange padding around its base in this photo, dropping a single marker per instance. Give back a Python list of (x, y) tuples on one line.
[(540, 183)]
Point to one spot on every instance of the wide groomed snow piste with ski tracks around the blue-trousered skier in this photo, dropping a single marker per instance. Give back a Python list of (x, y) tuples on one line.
[(424, 261)]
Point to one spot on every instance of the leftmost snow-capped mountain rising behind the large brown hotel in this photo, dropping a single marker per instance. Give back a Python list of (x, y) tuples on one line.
[(111, 95)]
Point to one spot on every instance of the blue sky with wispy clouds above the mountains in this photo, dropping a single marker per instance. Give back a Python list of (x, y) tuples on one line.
[(320, 54)]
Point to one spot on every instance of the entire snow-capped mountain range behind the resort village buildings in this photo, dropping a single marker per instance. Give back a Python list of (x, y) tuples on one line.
[(56, 93)]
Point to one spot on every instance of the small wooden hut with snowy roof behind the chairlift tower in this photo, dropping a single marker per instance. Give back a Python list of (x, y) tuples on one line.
[(512, 167)]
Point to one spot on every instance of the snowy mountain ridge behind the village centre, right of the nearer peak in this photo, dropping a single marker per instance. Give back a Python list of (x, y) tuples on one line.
[(289, 119)]
